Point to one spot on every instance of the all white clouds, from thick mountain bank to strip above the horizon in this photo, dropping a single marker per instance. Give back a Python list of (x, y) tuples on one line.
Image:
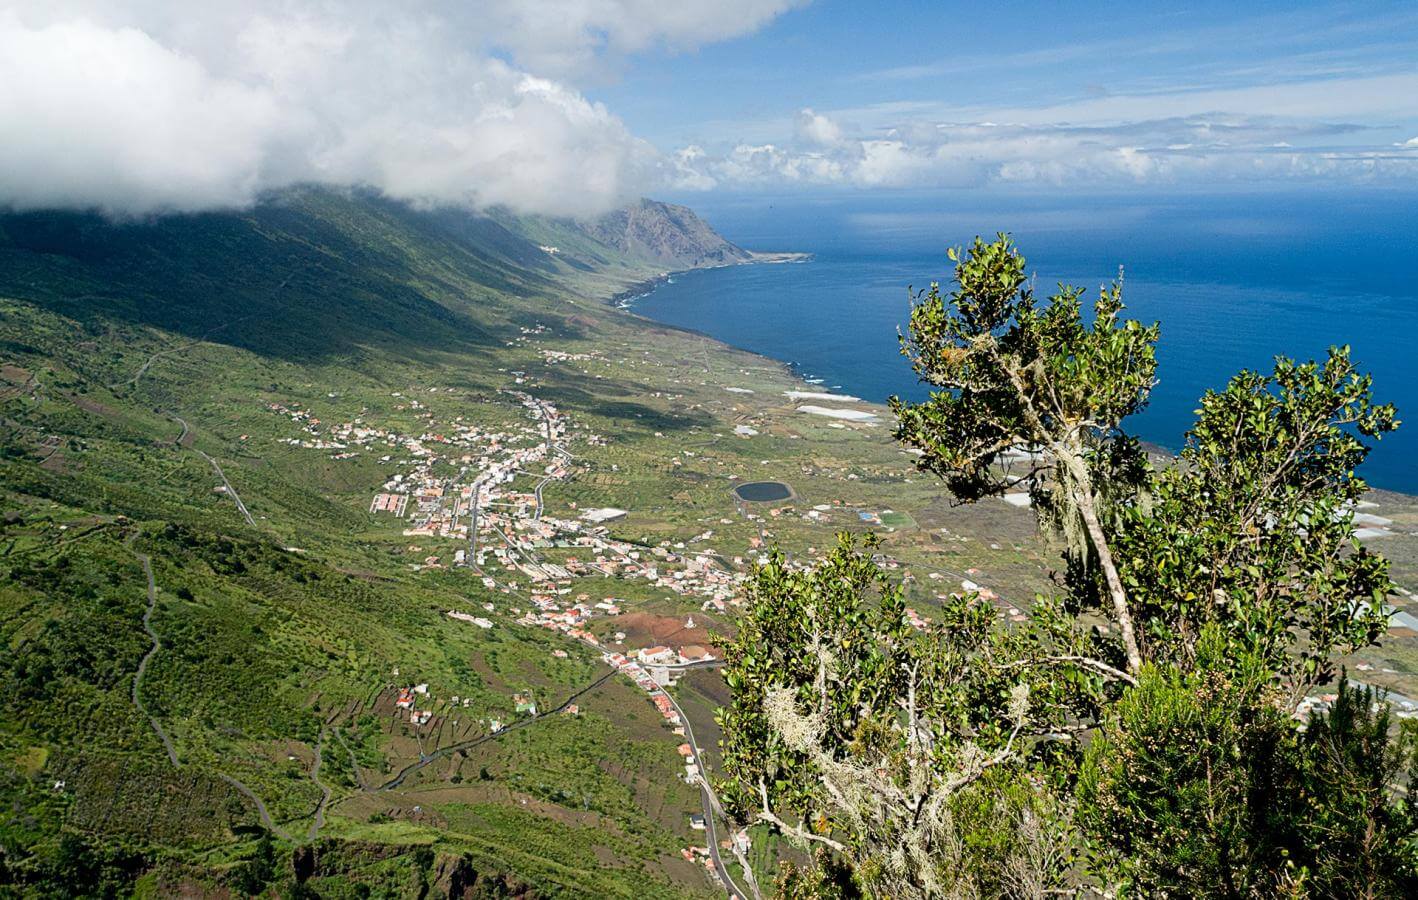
[(140, 107)]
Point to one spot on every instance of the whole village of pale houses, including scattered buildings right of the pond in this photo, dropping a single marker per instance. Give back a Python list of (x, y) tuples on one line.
[(480, 488)]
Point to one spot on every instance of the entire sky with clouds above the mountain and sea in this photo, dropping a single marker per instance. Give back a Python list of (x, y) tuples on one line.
[(574, 107)]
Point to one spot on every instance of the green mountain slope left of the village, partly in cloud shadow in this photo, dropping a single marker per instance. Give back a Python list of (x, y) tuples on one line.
[(172, 733)]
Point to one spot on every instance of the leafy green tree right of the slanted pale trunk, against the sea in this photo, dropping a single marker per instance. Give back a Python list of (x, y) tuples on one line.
[(1254, 529)]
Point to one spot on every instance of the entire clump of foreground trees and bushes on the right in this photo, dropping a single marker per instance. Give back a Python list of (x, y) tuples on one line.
[(1139, 733)]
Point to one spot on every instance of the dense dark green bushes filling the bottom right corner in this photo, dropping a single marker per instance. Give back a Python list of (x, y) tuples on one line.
[(1200, 784)]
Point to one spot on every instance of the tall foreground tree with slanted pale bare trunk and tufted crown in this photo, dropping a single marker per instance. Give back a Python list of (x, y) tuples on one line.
[(1015, 378)]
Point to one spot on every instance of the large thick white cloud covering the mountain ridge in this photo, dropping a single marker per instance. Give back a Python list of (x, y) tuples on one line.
[(147, 106)]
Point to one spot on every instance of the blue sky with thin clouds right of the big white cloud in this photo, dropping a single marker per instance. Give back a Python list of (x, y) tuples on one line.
[(1080, 94)]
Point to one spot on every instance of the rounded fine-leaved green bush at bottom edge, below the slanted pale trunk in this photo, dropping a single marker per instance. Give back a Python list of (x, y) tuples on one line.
[(1182, 784)]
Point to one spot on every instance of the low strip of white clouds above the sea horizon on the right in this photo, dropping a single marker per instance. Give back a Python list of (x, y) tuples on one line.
[(1115, 147)]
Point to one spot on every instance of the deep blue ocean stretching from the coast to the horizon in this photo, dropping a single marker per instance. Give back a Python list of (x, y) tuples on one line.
[(1234, 281)]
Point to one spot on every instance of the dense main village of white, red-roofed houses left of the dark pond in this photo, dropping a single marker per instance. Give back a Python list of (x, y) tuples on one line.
[(460, 483)]
